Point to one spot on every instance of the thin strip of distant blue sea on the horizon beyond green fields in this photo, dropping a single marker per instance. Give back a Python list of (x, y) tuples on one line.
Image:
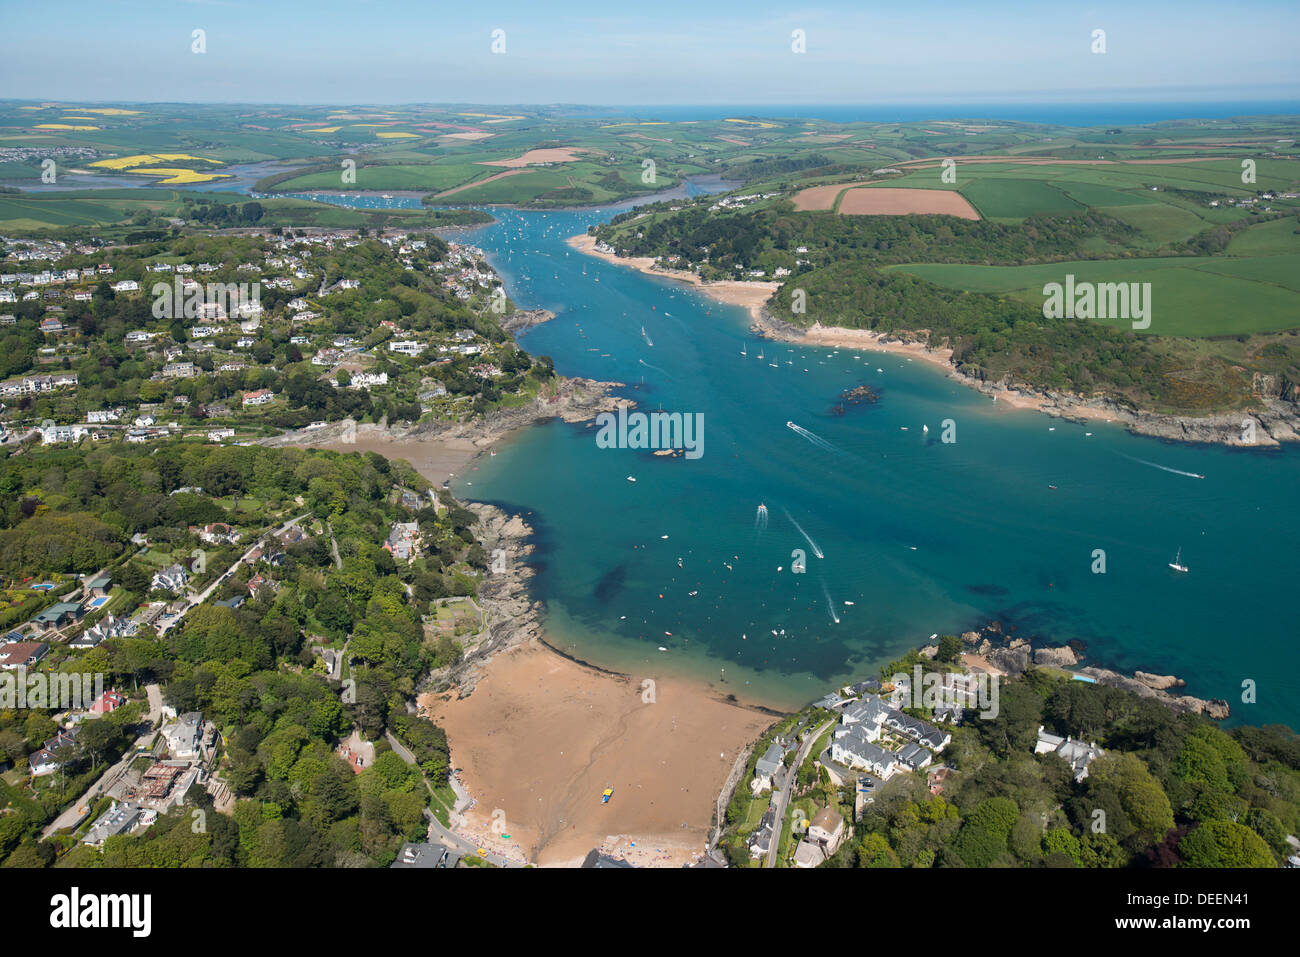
[(1054, 114)]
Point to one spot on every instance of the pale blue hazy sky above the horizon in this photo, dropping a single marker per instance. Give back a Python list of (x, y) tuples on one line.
[(668, 51)]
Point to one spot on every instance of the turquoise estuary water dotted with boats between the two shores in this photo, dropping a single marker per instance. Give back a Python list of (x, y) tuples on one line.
[(920, 535)]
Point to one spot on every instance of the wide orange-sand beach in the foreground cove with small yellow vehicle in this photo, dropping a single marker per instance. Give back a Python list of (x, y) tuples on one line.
[(543, 737)]
